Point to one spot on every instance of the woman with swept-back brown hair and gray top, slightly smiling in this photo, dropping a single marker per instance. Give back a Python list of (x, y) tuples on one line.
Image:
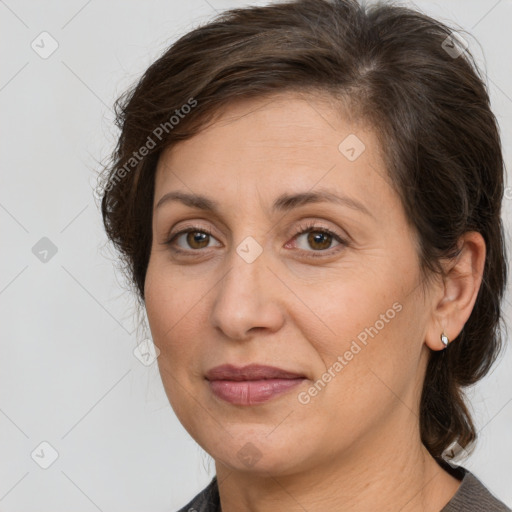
[(307, 198)]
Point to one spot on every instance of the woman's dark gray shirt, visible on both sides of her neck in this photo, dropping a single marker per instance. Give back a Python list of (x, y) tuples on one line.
[(471, 496)]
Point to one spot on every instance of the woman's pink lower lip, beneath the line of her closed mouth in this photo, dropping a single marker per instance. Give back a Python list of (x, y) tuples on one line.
[(251, 392)]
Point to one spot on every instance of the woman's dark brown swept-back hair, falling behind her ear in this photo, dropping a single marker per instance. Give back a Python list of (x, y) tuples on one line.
[(405, 74)]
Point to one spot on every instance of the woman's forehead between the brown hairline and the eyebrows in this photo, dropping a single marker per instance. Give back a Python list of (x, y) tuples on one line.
[(275, 144)]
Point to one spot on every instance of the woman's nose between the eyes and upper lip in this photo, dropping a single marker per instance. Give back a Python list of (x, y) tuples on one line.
[(247, 300)]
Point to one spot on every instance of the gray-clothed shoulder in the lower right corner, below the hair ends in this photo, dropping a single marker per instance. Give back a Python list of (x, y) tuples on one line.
[(473, 496)]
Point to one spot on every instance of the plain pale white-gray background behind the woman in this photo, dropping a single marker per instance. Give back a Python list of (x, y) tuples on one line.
[(68, 375)]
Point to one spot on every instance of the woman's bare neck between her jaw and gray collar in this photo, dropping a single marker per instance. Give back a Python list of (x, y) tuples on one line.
[(389, 472)]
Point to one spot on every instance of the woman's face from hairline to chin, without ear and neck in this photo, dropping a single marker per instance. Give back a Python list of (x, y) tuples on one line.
[(298, 257)]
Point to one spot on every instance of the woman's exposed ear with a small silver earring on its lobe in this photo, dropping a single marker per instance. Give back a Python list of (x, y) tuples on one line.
[(455, 297)]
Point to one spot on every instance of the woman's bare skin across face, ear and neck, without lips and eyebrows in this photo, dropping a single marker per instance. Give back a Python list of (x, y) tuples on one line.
[(355, 446)]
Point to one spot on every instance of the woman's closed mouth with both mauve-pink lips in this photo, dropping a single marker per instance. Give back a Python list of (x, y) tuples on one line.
[(251, 385)]
